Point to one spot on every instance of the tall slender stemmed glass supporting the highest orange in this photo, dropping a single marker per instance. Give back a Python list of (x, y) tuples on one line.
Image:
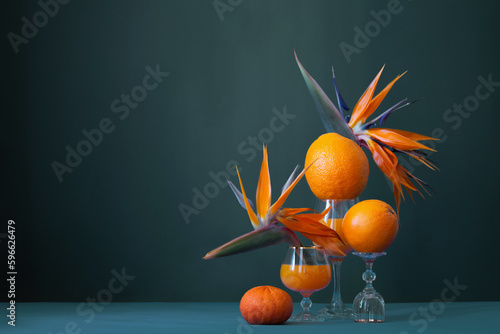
[(337, 309)]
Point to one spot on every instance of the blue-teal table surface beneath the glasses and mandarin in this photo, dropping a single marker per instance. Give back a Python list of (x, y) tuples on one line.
[(225, 318)]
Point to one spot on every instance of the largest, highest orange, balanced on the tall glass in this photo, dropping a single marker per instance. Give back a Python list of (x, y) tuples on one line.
[(340, 169)]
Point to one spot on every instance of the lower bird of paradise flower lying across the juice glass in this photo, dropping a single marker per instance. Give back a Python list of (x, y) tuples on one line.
[(265, 219)]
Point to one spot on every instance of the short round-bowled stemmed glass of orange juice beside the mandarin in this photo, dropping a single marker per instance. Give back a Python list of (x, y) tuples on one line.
[(306, 270)]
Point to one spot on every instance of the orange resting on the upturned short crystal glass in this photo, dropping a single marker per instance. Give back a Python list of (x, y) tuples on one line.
[(370, 226)]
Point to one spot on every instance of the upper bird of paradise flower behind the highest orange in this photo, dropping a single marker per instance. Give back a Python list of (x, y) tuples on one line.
[(383, 143)]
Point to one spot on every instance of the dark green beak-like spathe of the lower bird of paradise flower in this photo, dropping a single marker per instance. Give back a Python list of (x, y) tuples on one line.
[(263, 237)]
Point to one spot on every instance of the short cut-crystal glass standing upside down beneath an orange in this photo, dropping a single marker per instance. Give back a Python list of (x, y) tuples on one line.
[(369, 306)]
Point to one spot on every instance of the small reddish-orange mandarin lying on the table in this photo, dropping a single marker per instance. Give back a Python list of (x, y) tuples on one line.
[(266, 305)]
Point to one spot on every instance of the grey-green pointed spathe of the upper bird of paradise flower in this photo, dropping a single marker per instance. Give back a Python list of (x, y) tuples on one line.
[(332, 120)]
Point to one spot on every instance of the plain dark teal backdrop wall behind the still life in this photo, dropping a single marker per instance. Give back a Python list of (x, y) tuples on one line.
[(120, 207)]
